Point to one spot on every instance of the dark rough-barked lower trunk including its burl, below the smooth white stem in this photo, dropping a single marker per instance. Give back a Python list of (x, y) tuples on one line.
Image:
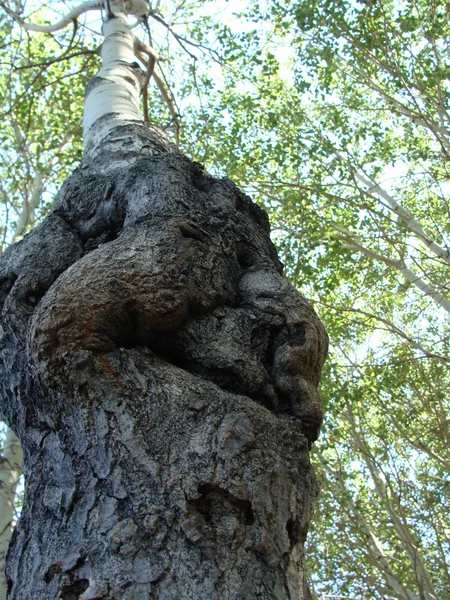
[(161, 375)]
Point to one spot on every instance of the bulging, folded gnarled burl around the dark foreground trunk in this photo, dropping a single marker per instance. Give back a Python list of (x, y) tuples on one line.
[(168, 258)]
